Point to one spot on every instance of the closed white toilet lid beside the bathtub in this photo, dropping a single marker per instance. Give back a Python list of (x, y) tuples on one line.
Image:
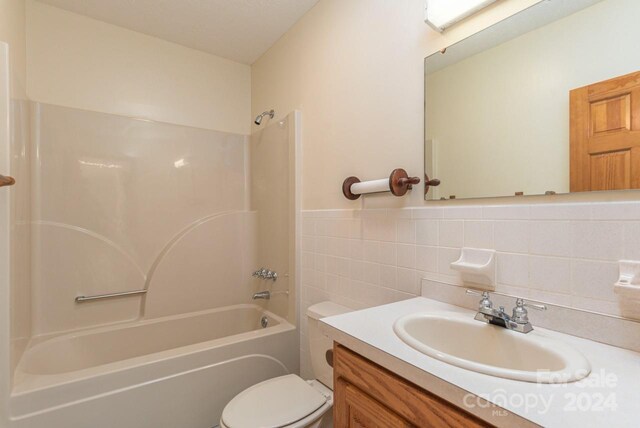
[(273, 403)]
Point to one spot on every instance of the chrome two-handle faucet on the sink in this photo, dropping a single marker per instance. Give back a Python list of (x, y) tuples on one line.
[(519, 319)]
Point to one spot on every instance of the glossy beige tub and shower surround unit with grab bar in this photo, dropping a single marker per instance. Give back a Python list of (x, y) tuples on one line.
[(119, 204)]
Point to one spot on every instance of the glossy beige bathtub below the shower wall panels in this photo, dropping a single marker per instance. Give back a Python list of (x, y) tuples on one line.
[(174, 372)]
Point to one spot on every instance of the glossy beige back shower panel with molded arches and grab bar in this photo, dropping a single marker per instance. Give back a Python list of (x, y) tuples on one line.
[(121, 204)]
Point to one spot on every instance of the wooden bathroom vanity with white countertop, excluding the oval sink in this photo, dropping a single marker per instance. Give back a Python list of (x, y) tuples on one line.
[(381, 381)]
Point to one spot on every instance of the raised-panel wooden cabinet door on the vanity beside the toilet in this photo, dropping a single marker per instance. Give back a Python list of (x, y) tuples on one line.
[(361, 411)]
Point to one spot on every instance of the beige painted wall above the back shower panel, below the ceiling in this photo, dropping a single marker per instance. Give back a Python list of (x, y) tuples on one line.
[(78, 62)]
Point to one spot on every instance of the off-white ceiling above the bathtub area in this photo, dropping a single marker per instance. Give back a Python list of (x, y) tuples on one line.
[(239, 30)]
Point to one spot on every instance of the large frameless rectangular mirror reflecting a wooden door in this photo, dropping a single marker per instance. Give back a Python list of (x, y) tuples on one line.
[(546, 101)]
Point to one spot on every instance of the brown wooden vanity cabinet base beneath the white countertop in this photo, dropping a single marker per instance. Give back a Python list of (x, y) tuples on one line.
[(369, 396)]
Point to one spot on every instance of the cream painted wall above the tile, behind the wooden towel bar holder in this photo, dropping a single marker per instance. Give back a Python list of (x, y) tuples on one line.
[(355, 70)]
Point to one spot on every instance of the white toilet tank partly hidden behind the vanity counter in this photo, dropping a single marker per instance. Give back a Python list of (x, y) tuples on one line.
[(319, 344)]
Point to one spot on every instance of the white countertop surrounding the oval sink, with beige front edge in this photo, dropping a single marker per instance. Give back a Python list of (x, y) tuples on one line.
[(608, 397)]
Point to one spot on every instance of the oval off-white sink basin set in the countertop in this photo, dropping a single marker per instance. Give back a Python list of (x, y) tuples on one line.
[(484, 348)]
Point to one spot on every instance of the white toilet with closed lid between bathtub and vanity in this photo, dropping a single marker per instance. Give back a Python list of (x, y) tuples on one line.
[(289, 401)]
